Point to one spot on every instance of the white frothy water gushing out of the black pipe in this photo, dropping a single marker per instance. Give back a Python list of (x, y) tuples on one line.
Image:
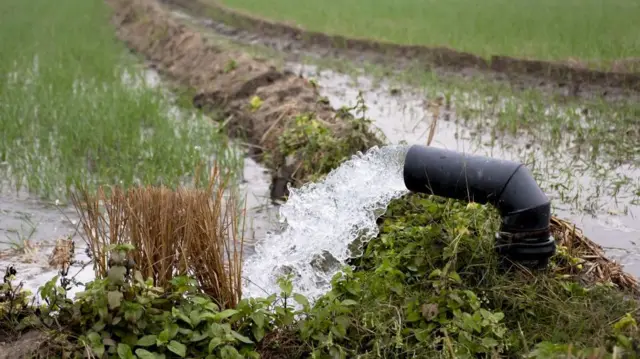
[(325, 223)]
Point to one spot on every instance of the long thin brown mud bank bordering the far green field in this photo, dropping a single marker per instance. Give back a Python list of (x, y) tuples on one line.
[(562, 78)]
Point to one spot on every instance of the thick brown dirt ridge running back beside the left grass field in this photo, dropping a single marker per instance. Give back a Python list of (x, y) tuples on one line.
[(259, 101)]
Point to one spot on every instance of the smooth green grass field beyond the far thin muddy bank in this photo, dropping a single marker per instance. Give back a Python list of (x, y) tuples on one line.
[(547, 29)]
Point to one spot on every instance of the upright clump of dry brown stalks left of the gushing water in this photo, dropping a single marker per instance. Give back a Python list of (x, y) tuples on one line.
[(187, 231)]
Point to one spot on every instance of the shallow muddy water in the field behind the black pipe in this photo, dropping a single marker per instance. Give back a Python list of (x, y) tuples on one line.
[(402, 114)]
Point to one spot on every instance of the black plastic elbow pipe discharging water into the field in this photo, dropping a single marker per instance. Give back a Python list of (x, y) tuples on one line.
[(509, 186)]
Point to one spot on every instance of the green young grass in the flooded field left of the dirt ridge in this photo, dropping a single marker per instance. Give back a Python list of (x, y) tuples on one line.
[(67, 118)]
